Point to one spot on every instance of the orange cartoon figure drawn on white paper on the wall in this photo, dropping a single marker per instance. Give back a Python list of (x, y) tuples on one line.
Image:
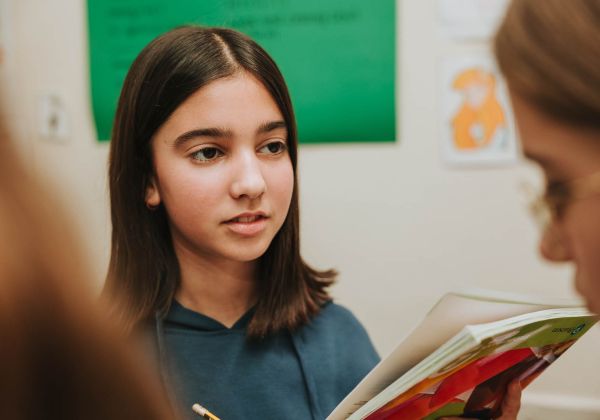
[(480, 121)]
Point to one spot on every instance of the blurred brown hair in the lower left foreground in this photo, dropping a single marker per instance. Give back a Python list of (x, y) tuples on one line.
[(59, 358)]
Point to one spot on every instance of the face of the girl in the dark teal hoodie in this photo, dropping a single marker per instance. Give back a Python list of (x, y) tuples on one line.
[(222, 171)]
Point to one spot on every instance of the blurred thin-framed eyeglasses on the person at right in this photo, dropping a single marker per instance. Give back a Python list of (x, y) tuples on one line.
[(552, 204)]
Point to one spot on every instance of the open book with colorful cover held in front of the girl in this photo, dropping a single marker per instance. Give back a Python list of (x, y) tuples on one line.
[(462, 356)]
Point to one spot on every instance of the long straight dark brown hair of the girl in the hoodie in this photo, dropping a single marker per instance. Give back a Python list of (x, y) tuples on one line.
[(144, 272)]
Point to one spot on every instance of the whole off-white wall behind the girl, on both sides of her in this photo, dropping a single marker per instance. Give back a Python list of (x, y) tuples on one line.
[(400, 226)]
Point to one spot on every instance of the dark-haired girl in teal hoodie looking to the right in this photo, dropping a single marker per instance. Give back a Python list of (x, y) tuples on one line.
[(205, 242)]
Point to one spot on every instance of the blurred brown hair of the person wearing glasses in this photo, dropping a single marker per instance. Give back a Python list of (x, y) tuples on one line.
[(549, 52)]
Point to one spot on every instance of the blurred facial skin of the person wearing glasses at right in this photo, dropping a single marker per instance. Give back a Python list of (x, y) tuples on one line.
[(566, 153)]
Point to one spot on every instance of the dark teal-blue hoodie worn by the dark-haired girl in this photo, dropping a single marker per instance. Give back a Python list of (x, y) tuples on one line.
[(301, 375)]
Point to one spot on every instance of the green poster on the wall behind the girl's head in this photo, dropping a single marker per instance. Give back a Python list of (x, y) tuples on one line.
[(337, 56)]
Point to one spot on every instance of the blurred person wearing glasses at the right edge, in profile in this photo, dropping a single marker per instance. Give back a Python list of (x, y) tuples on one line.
[(549, 53)]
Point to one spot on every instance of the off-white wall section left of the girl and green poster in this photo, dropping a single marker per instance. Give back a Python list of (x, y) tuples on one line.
[(50, 43)]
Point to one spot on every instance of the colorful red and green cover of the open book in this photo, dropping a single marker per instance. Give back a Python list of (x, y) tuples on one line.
[(473, 385)]
